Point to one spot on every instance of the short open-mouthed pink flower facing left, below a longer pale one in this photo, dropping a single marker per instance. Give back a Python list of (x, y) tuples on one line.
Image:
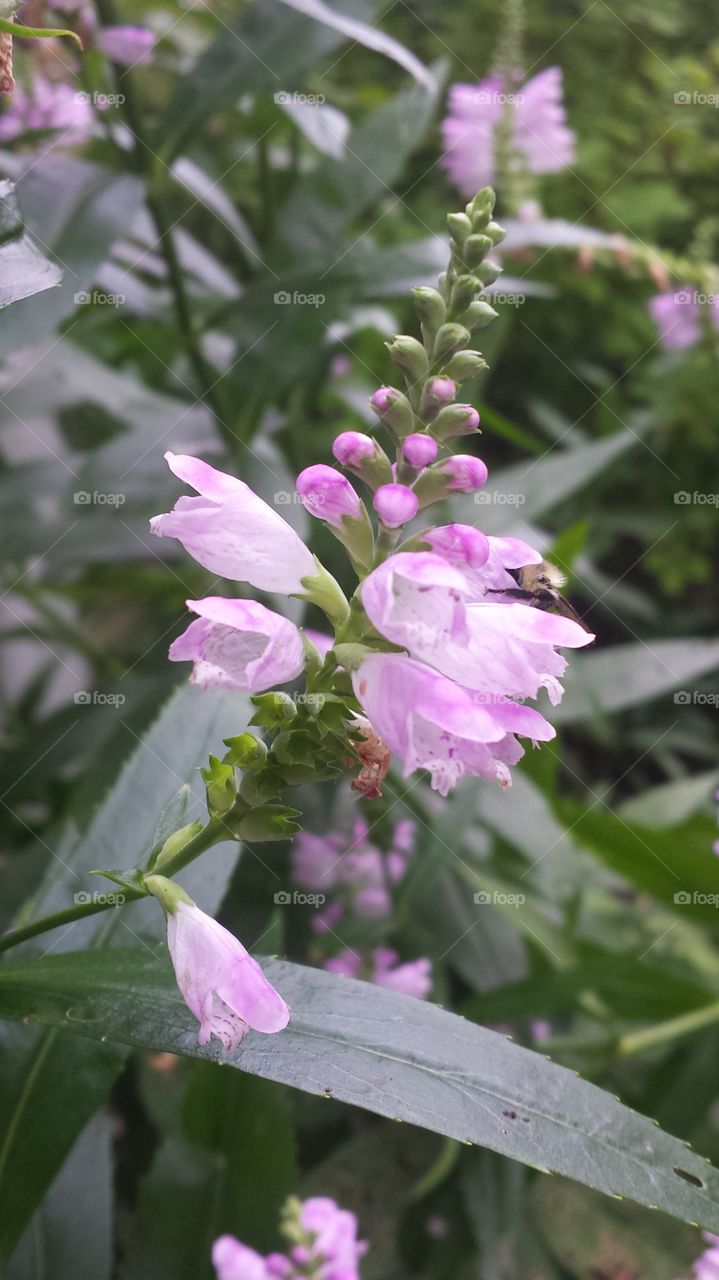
[(240, 644)]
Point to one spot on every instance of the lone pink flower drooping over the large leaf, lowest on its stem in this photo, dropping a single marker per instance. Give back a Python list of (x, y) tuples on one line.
[(219, 981)]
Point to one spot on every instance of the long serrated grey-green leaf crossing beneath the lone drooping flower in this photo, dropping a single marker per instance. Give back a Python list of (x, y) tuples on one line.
[(390, 1054)]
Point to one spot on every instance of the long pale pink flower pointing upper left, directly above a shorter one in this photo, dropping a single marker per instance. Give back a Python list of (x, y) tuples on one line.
[(231, 532)]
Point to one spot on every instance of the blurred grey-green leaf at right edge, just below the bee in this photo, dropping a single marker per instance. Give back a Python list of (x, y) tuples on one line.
[(611, 680)]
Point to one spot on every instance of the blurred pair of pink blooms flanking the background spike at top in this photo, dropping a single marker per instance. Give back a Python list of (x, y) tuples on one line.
[(541, 131)]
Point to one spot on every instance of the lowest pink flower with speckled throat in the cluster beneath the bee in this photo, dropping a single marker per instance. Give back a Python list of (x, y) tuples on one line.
[(433, 724)]
